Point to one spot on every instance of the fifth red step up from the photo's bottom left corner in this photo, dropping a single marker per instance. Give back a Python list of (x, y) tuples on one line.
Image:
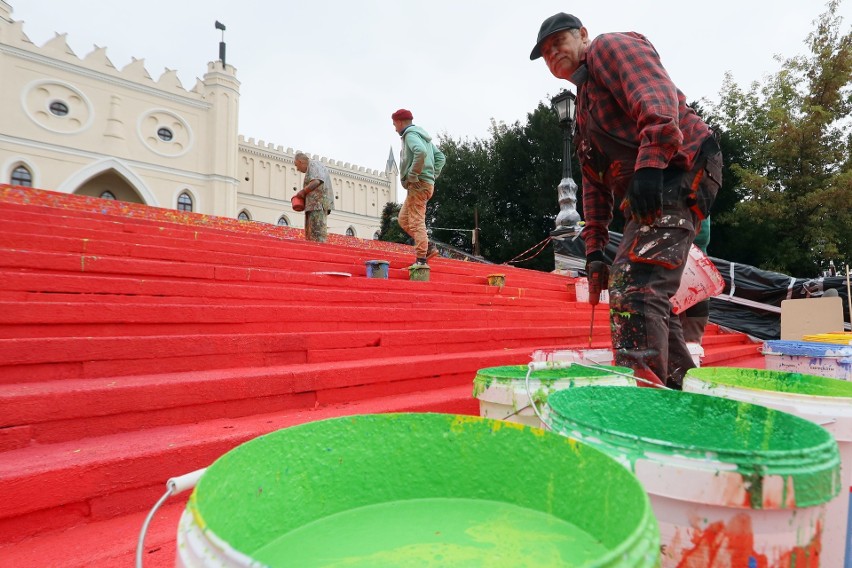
[(88, 319)]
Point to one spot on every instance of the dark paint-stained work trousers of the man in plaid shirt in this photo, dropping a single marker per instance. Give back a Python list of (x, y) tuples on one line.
[(646, 334)]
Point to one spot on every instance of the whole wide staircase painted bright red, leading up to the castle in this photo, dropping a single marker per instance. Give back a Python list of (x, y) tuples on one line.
[(139, 343)]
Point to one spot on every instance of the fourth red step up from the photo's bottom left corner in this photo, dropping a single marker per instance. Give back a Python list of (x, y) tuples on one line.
[(39, 359)]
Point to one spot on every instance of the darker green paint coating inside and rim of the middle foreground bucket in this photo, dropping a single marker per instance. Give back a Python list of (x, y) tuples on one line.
[(634, 423)]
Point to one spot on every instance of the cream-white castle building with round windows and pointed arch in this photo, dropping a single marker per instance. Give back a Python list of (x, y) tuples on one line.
[(83, 126)]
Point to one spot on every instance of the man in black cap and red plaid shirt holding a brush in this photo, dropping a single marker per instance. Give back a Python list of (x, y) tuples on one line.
[(641, 148)]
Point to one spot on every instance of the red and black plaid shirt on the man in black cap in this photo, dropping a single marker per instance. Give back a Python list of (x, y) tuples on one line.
[(624, 89)]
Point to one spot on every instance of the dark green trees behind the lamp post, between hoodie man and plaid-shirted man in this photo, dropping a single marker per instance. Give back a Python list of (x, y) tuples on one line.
[(510, 180)]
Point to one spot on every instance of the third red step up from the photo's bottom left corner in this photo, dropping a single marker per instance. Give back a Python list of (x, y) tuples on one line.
[(94, 406)]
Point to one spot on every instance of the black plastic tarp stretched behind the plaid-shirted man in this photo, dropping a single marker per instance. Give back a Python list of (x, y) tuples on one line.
[(749, 284)]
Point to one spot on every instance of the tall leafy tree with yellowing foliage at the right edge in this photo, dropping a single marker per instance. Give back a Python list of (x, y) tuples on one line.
[(788, 151)]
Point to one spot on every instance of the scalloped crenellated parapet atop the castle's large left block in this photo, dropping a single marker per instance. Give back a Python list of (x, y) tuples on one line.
[(57, 51)]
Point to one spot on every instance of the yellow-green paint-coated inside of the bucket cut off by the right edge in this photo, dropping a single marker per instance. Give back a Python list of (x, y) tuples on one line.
[(778, 381)]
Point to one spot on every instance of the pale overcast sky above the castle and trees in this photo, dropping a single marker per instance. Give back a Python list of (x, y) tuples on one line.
[(323, 76)]
